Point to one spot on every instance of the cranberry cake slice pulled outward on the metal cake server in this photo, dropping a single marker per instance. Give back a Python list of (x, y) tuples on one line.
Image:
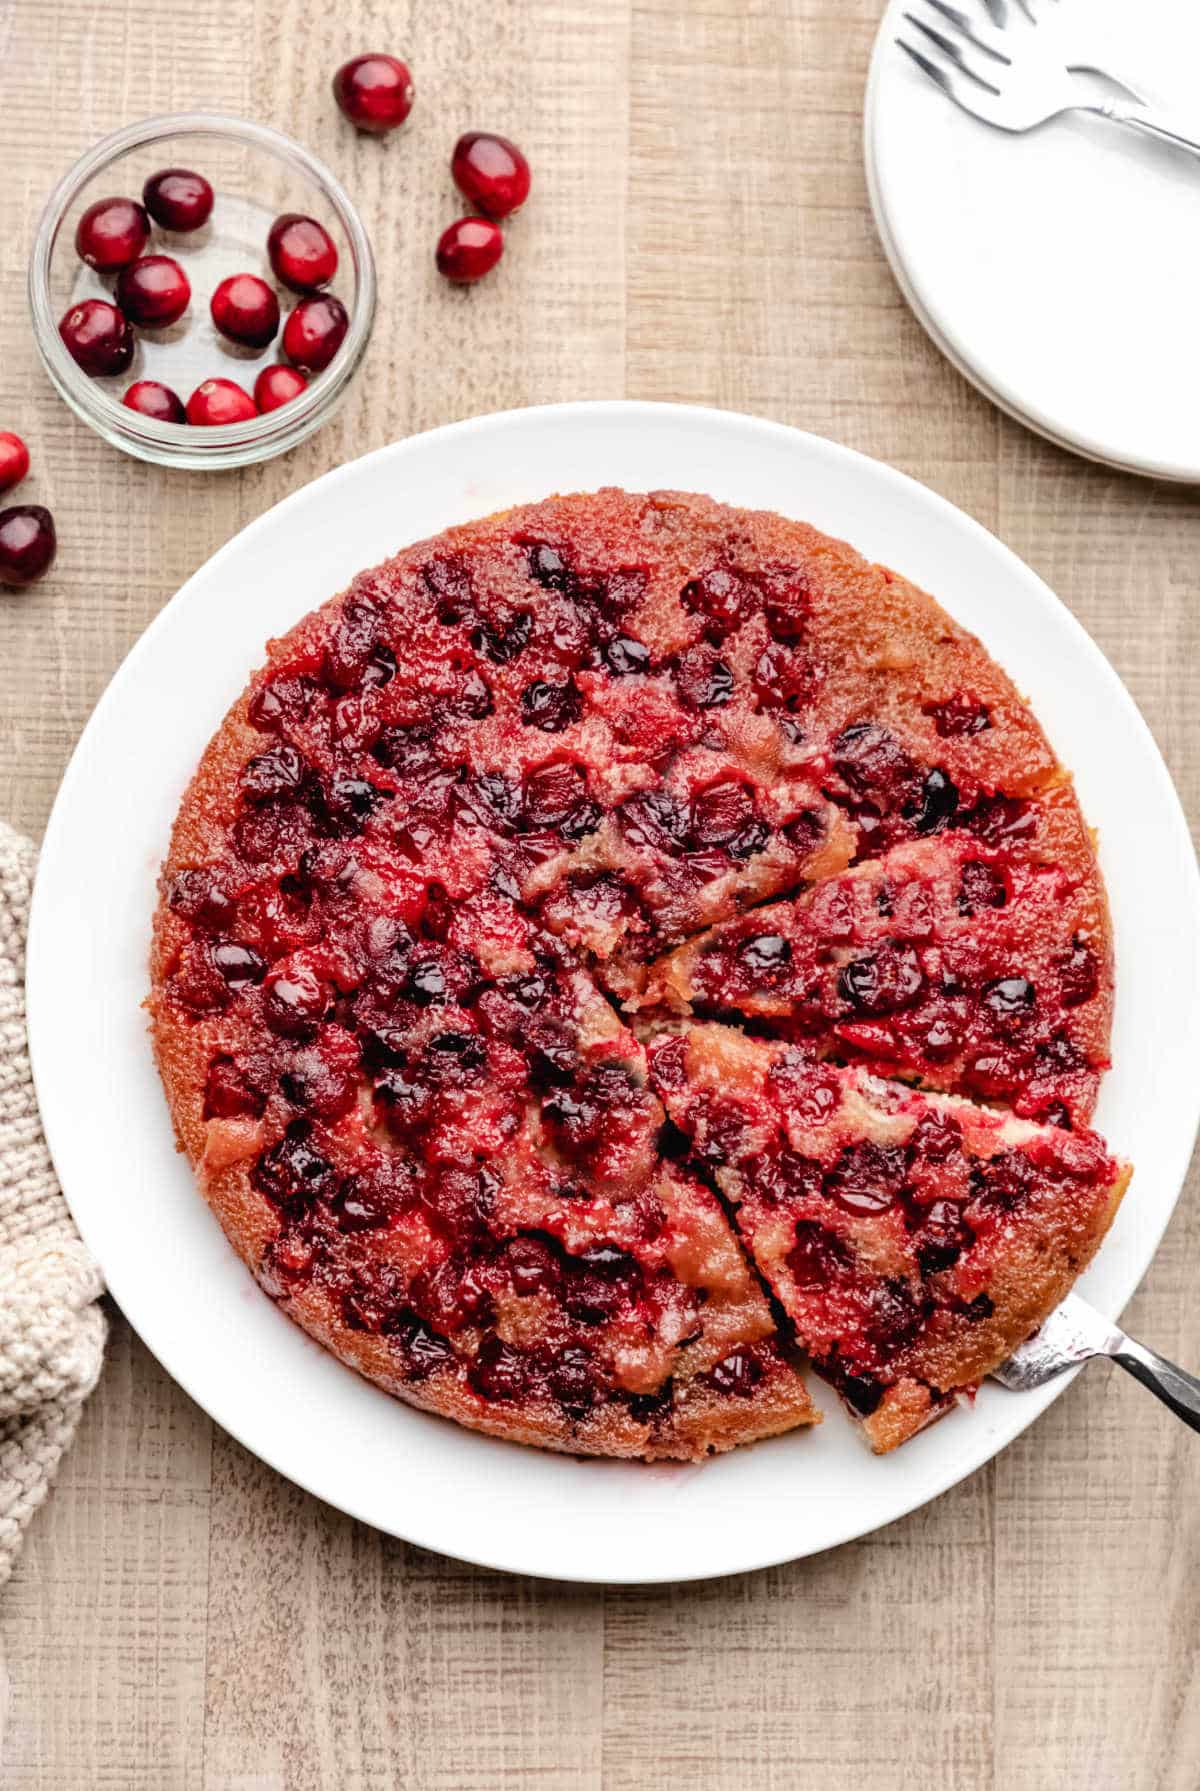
[(914, 1240)]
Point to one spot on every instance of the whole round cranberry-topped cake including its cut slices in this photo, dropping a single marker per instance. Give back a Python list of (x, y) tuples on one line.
[(626, 948)]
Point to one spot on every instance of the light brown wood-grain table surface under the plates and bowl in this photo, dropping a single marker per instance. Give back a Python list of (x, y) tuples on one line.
[(184, 1620)]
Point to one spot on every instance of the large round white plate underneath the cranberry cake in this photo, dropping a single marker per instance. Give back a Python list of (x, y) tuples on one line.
[(166, 1258)]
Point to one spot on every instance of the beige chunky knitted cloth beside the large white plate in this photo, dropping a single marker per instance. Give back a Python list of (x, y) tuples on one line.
[(51, 1328)]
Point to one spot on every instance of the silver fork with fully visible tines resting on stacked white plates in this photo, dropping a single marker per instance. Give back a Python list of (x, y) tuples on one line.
[(1016, 83)]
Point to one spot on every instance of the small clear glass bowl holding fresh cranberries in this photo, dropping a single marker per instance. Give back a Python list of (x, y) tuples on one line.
[(257, 175)]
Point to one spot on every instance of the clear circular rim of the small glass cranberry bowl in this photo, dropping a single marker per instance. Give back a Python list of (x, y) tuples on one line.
[(228, 443)]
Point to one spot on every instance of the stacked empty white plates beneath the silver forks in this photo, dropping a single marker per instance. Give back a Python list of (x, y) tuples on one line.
[(1058, 270)]
